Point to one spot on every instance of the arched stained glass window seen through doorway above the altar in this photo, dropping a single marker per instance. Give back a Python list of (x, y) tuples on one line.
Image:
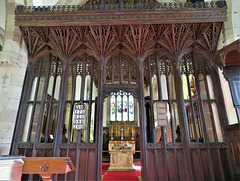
[(122, 107)]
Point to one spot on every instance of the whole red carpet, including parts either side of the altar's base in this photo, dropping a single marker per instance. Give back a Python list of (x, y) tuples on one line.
[(121, 175)]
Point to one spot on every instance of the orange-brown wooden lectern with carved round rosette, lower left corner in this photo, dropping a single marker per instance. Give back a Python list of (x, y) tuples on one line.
[(47, 167)]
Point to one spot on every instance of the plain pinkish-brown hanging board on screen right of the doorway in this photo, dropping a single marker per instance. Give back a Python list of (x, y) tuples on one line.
[(162, 114)]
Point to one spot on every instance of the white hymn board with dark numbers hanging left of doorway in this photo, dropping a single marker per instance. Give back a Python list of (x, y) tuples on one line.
[(79, 116)]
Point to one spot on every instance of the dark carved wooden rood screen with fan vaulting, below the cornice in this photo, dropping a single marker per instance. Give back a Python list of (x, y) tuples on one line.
[(160, 61)]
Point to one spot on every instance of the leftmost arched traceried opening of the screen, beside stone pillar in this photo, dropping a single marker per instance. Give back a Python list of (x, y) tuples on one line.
[(43, 101)]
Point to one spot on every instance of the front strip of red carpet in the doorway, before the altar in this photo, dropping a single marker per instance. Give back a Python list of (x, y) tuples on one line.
[(121, 175)]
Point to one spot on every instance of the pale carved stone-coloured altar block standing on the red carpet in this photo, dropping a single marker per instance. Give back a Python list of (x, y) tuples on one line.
[(121, 155)]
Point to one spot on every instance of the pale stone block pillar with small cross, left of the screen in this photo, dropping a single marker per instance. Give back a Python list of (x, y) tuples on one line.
[(13, 63)]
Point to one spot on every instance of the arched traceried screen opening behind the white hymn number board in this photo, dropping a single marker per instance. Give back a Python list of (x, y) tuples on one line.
[(82, 86)]
